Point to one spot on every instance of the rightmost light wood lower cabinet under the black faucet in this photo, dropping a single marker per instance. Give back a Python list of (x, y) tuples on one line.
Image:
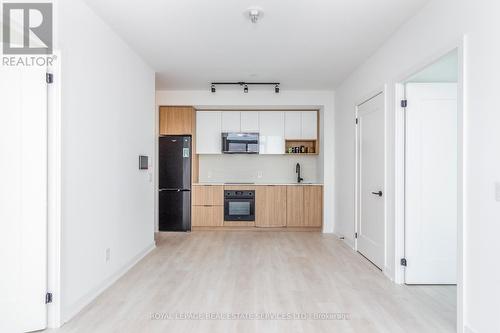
[(304, 206)]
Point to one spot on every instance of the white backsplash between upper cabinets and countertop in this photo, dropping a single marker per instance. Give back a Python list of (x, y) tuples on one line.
[(257, 168)]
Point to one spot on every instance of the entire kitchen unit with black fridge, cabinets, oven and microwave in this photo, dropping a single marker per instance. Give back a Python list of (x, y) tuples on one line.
[(239, 169)]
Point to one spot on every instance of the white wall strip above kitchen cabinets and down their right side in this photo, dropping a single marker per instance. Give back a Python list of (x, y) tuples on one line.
[(321, 100)]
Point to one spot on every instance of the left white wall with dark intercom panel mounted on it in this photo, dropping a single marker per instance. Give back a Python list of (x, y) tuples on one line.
[(107, 122)]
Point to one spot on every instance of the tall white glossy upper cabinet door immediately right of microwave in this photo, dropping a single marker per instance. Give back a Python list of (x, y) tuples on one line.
[(272, 132)]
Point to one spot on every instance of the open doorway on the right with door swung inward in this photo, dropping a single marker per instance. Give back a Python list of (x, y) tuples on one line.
[(430, 180)]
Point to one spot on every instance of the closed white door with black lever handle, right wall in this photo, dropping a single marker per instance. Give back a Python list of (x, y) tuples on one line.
[(371, 176)]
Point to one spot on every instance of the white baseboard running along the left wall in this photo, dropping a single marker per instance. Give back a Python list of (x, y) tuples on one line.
[(78, 306)]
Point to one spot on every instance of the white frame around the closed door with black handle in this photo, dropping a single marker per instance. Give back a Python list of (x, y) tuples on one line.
[(357, 191)]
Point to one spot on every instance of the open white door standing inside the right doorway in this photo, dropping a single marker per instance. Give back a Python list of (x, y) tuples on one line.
[(431, 183)]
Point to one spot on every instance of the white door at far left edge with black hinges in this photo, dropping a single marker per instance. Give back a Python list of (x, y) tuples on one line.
[(23, 199)]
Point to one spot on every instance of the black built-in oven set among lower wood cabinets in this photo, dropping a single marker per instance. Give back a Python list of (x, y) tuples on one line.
[(239, 205)]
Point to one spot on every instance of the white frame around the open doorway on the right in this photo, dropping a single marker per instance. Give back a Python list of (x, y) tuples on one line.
[(399, 184)]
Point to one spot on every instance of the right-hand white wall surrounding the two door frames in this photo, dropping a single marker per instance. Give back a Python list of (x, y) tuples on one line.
[(435, 30)]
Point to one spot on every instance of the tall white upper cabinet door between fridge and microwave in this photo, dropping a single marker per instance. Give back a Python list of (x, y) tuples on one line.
[(208, 132)]
